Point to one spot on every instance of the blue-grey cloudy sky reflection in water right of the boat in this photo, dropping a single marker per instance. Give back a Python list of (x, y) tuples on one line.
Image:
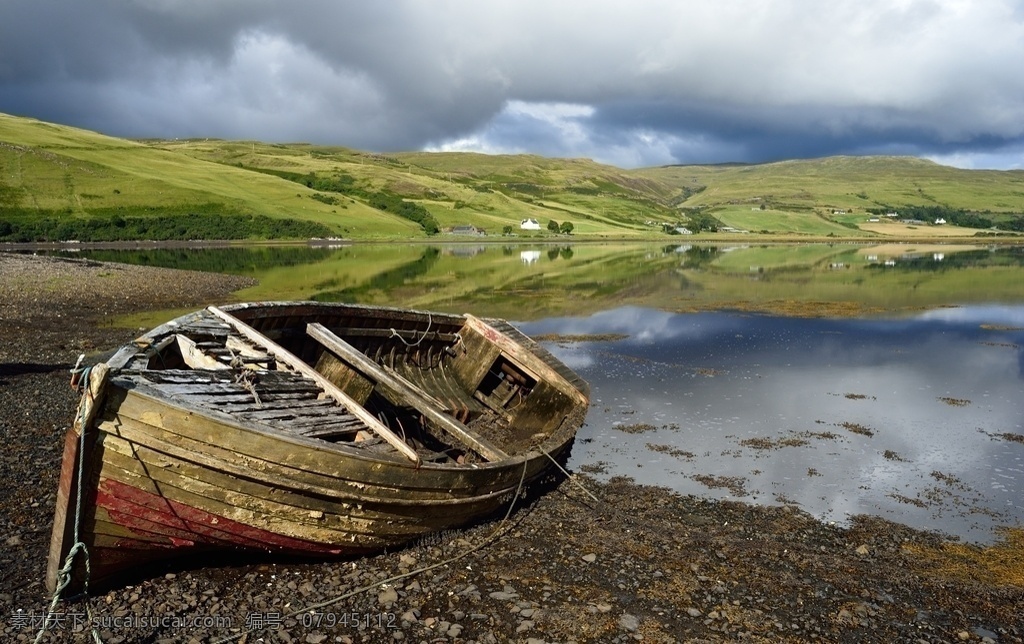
[(918, 420)]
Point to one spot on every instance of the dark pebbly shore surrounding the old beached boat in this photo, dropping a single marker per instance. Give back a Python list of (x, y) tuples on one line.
[(579, 562)]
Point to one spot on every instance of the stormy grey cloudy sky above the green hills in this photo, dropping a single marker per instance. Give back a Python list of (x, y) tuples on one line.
[(626, 82)]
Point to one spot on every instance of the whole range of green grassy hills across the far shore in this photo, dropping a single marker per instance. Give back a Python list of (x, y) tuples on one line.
[(59, 183)]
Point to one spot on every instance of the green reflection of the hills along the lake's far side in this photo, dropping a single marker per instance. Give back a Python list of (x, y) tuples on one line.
[(530, 281)]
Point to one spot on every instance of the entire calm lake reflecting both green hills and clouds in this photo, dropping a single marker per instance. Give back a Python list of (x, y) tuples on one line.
[(845, 379)]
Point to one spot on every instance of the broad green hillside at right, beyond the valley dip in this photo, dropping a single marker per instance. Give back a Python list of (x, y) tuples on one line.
[(845, 191)]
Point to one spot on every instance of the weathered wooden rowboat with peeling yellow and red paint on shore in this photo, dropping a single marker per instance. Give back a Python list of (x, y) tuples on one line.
[(304, 428)]
